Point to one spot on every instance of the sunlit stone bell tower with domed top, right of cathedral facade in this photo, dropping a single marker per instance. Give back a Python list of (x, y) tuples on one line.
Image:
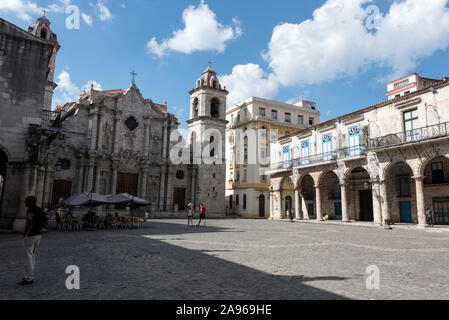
[(207, 132)]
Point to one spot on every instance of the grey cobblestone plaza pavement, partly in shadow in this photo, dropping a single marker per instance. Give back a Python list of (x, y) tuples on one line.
[(233, 259)]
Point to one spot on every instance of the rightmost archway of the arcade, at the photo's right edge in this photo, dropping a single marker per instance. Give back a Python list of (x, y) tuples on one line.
[(436, 189)]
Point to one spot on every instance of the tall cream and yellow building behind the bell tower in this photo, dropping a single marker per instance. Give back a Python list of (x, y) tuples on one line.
[(251, 123)]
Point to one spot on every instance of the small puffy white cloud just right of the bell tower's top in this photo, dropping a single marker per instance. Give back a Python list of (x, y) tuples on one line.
[(249, 80)]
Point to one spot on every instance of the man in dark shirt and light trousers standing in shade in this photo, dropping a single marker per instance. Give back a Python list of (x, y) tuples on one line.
[(36, 219)]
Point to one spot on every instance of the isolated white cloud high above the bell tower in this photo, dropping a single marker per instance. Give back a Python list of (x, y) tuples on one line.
[(202, 32)]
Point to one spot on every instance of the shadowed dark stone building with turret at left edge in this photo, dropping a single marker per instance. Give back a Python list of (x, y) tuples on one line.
[(27, 61)]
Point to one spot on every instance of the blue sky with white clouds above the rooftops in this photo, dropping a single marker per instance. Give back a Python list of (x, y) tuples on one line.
[(337, 53)]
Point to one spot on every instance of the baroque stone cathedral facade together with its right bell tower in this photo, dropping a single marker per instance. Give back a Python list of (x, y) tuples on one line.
[(117, 141)]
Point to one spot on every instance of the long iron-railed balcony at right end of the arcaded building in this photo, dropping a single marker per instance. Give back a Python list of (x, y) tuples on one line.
[(418, 135)]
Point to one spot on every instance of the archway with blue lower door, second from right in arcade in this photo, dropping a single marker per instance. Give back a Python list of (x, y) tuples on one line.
[(401, 193)]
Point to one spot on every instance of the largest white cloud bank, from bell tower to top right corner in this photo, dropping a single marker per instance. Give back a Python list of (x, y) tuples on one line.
[(337, 43)]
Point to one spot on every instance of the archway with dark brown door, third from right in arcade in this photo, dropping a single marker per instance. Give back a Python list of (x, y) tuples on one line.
[(361, 192)]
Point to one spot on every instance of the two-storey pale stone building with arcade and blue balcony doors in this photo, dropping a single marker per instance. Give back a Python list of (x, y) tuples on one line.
[(385, 162)]
